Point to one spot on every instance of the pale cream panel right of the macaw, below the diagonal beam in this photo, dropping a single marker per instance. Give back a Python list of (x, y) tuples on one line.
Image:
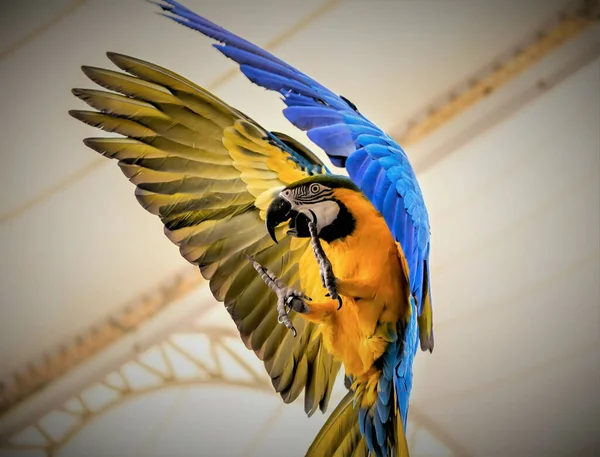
[(515, 218)]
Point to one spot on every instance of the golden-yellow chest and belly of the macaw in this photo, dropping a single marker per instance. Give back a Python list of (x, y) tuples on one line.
[(358, 333)]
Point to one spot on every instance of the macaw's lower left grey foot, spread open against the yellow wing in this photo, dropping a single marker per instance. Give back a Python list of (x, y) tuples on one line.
[(287, 297)]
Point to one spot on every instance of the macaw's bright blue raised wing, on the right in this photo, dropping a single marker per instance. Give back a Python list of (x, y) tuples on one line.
[(374, 161)]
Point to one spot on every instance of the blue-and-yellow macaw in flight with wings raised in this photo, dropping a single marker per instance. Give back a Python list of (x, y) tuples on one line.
[(341, 261)]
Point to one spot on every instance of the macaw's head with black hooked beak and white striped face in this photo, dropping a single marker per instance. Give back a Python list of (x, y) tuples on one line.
[(317, 199)]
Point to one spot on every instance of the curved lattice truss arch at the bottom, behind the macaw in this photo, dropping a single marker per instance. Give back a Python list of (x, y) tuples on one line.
[(199, 356)]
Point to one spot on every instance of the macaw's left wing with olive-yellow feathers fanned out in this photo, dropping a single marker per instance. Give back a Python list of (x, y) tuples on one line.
[(209, 172)]
